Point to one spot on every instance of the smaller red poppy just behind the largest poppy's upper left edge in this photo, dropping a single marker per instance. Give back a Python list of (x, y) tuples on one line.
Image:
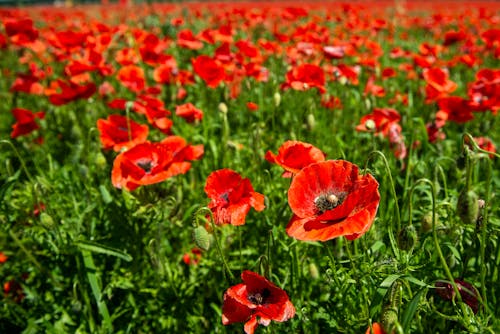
[(295, 155)]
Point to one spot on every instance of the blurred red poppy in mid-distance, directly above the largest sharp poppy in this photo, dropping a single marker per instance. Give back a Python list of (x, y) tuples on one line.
[(304, 77)]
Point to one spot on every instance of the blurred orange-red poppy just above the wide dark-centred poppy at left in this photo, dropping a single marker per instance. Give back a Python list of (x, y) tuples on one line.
[(119, 132)]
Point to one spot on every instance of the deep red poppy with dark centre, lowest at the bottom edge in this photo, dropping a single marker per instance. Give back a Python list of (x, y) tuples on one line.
[(255, 301)]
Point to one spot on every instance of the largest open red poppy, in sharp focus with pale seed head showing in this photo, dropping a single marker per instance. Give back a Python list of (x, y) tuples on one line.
[(330, 199)]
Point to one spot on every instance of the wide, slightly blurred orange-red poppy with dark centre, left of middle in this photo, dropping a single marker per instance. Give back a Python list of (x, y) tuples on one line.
[(149, 163)]
